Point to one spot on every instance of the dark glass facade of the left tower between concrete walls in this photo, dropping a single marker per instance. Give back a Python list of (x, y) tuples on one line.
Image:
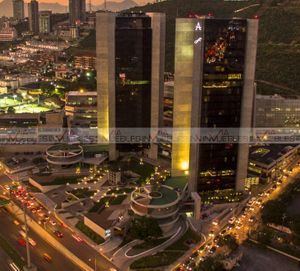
[(133, 52)]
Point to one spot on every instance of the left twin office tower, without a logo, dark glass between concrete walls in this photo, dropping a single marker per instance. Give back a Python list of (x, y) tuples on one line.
[(130, 68)]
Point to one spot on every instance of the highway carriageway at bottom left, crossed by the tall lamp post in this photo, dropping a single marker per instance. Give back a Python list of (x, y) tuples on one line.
[(10, 232)]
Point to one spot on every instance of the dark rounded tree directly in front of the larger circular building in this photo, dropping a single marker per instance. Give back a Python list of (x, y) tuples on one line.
[(144, 228)]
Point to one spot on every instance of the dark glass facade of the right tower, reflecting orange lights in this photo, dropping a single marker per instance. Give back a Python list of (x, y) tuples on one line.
[(222, 85)]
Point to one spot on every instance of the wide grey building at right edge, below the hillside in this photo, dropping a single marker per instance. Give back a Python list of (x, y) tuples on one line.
[(277, 111)]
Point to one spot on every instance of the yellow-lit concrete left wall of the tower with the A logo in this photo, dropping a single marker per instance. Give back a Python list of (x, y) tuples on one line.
[(183, 87)]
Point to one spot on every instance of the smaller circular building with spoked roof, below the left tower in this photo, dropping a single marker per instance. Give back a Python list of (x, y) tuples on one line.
[(64, 154)]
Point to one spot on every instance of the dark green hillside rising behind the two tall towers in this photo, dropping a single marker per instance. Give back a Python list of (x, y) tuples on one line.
[(278, 59)]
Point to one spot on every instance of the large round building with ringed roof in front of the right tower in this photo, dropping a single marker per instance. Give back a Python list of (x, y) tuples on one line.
[(160, 203)]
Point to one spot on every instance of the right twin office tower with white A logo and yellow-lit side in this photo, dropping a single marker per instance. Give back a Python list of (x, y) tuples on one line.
[(214, 88)]
